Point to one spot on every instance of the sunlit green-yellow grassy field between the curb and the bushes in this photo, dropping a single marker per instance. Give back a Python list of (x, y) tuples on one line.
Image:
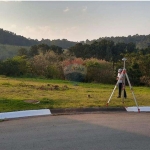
[(27, 94)]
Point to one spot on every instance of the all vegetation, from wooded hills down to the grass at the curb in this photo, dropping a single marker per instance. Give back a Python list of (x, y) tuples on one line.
[(22, 66)]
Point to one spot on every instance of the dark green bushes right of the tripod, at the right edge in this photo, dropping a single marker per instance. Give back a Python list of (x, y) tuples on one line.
[(138, 68)]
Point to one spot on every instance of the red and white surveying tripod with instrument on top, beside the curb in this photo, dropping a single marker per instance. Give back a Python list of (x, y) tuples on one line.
[(123, 75)]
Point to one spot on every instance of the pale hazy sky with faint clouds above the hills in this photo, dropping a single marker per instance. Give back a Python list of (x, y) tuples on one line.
[(75, 20)]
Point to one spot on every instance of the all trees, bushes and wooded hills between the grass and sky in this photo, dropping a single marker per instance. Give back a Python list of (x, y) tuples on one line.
[(102, 57)]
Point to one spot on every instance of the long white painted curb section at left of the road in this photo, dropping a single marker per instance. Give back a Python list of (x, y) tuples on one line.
[(26, 113)]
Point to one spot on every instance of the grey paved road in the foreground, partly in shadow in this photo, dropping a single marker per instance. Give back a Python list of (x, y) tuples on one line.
[(103, 131)]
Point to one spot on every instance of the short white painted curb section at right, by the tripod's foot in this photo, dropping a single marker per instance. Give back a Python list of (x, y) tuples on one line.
[(135, 109)]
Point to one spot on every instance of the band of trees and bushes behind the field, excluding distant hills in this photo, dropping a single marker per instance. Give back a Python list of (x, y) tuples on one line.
[(102, 59)]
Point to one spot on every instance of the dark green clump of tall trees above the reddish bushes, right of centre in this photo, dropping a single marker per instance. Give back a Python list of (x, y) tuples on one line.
[(105, 50)]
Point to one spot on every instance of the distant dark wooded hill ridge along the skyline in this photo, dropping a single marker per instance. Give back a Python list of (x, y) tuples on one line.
[(10, 38)]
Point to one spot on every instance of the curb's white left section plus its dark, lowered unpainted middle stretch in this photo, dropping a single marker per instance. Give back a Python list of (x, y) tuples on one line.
[(41, 112)]
